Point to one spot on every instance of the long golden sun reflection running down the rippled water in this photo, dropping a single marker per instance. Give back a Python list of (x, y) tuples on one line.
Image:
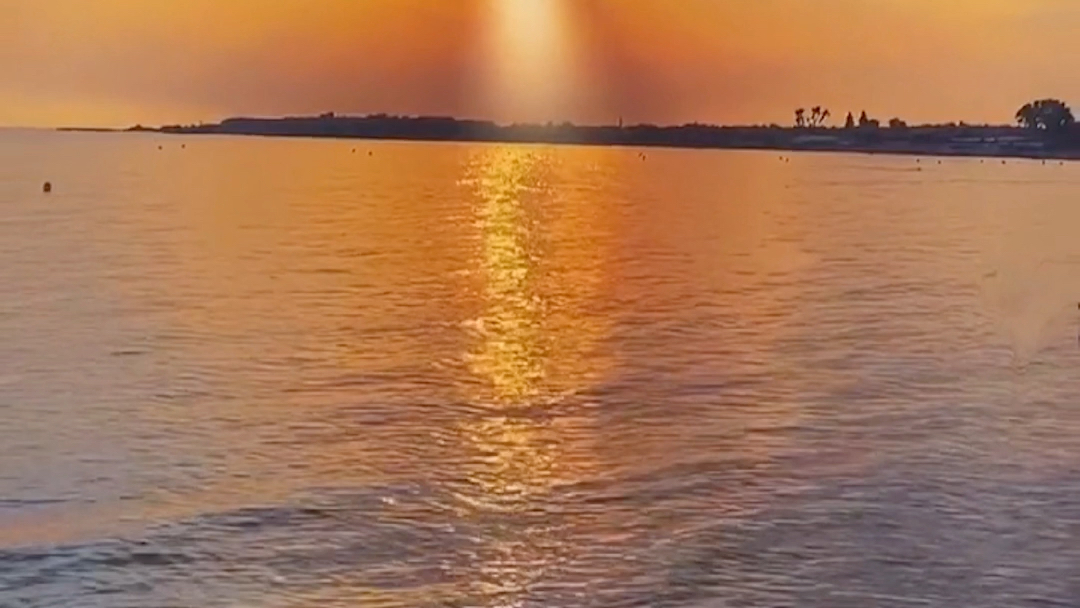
[(535, 347)]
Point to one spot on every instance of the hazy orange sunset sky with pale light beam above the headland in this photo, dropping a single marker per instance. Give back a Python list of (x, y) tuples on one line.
[(115, 63)]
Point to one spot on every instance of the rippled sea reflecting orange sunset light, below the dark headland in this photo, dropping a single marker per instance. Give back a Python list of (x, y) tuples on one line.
[(282, 373)]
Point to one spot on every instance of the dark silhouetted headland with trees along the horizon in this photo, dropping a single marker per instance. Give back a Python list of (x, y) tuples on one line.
[(1046, 130)]
